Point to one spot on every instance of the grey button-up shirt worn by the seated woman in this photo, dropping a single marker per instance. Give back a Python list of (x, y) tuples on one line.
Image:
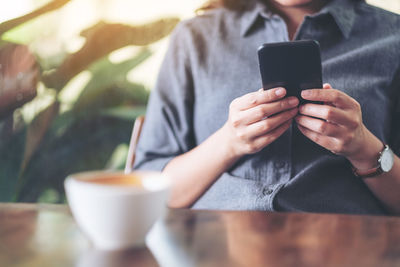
[(212, 60)]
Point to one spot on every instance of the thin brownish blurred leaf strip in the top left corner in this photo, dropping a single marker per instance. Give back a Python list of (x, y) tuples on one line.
[(10, 24)]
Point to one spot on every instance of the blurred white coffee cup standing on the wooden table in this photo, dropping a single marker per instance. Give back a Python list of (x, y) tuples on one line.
[(116, 216)]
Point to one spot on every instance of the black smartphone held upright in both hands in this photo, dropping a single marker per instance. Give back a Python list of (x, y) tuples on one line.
[(293, 65)]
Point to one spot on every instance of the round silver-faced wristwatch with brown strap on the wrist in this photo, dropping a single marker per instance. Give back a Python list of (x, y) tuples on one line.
[(385, 164)]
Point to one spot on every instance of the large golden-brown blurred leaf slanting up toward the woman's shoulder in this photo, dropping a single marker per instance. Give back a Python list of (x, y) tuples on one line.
[(102, 39)]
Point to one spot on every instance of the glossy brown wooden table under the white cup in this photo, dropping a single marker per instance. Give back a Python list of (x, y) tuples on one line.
[(46, 235)]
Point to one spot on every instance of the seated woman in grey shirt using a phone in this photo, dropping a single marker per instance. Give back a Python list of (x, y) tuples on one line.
[(227, 145)]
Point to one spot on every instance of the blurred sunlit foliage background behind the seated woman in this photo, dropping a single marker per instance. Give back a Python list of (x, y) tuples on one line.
[(78, 74)]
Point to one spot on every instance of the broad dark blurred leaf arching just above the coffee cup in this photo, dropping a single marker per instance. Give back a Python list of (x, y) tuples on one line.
[(86, 145)]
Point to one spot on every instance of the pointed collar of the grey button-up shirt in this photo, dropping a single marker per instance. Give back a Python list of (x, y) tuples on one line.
[(342, 11)]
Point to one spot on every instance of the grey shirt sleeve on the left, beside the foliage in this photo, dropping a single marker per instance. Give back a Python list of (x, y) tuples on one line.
[(167, 131)]
